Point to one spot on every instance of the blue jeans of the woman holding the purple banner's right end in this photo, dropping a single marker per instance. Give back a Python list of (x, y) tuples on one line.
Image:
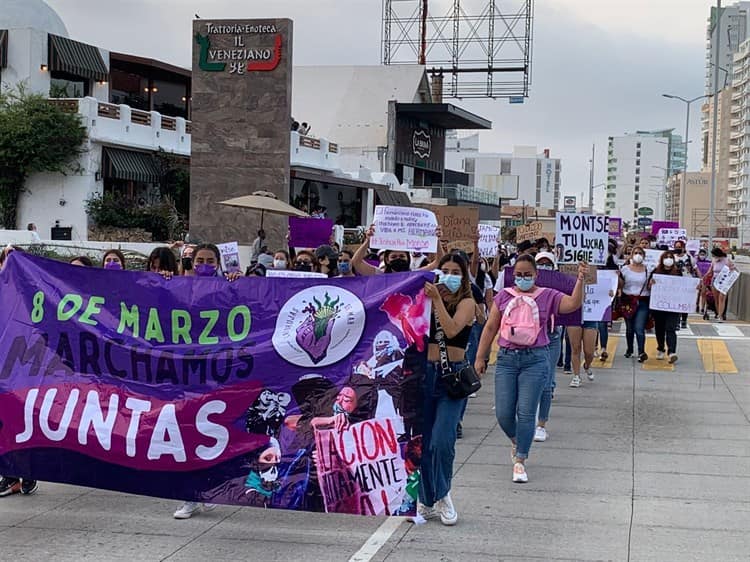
[(441, 416)]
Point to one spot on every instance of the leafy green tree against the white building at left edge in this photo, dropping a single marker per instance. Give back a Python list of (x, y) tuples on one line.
[(35, 136)]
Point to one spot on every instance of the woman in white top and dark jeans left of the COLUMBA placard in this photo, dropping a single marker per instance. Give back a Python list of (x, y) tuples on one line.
[(633, 288)]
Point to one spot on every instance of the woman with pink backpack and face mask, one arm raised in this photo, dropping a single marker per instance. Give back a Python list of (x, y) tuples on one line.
[(521, 315)]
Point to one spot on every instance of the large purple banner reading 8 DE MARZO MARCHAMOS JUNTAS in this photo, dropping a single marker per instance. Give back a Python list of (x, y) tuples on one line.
[(202, 390)]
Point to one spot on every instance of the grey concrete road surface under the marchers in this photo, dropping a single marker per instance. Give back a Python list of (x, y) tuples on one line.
[(645, 463)]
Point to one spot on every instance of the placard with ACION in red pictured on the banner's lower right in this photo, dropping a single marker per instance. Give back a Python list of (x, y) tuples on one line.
[(360, 469)]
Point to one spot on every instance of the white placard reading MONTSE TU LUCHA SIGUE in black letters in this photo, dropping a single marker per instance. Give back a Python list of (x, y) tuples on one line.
[(582, 238)]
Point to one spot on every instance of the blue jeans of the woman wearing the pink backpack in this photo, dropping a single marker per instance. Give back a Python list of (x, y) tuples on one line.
[(520, 377)]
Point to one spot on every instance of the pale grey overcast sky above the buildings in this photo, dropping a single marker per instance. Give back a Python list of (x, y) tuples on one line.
[(600, 66)]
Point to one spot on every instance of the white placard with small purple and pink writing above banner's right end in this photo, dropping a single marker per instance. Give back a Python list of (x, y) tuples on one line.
[(404, 228)]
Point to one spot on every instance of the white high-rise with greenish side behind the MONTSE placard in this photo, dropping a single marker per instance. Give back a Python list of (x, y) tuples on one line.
[(638, 166)]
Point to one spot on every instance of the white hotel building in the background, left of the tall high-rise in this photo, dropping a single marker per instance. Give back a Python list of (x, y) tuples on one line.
[(538, 175)]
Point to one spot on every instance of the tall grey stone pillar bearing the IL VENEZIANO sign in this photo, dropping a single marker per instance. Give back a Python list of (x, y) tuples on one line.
[(241, 117)]
